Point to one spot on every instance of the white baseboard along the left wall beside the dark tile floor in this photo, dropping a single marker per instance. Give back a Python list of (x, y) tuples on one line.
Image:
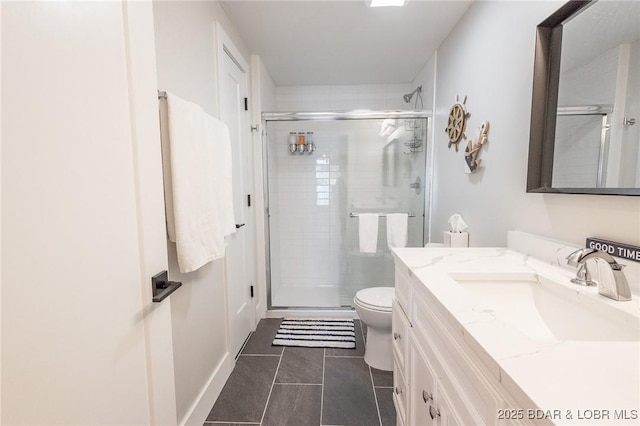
[(201, 407)]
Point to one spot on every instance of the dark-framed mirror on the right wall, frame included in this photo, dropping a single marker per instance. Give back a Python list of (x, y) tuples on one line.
[(585, 119)]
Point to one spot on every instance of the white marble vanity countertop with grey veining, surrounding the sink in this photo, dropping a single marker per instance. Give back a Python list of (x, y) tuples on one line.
[(575, 382)]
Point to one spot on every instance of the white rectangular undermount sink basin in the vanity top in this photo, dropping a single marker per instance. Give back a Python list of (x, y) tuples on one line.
[(545, 310)]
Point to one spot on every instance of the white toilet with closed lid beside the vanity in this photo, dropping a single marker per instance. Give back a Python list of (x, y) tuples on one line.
[(373, 306)]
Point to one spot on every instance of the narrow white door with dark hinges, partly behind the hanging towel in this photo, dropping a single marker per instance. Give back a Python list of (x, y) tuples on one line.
[(233, 91)]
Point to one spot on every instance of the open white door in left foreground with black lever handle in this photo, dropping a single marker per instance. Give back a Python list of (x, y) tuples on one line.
[(80, 189)]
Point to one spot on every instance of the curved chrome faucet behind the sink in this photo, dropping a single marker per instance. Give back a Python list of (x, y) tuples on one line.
[(618, 290)]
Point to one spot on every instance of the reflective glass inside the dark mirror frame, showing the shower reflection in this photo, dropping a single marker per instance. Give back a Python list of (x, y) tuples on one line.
[(600, 82)]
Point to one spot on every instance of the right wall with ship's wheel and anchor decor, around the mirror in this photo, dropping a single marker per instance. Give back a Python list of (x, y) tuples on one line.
[(489, 57)]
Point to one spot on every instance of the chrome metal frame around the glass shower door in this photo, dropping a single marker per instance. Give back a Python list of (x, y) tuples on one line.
[(333, 116)]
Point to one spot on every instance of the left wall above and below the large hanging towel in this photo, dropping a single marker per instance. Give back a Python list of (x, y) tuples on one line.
[(185, 51)]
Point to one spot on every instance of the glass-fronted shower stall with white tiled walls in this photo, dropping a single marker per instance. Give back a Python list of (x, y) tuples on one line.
[(321, 171)]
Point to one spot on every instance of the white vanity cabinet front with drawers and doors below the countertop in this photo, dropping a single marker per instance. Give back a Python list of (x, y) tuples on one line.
[(438, 379)]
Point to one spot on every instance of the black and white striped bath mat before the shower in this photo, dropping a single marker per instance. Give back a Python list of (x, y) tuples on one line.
[(316, 333)]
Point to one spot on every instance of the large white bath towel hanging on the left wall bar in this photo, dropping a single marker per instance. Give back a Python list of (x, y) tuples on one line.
[(198, 183)]
